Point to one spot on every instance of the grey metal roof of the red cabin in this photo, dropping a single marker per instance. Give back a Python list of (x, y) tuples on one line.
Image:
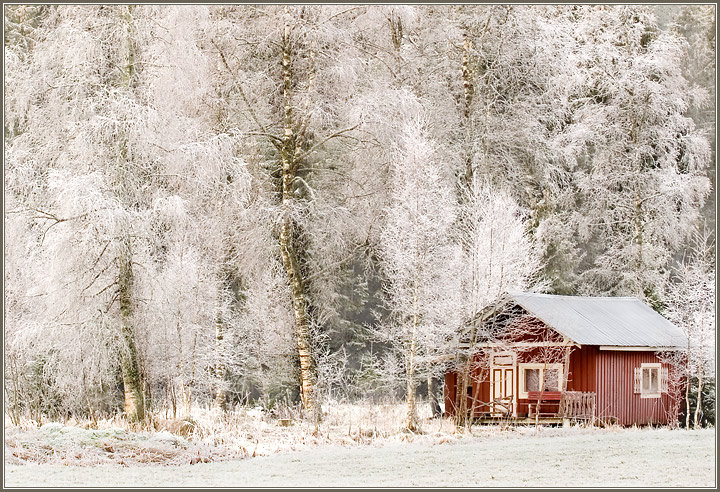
[(610, 321)]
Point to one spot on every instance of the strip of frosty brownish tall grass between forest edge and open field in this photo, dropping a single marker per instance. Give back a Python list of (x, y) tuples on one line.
[(207, 435)]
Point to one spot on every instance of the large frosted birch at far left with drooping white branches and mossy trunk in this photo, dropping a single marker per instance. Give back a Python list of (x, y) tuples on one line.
[(83, 135)]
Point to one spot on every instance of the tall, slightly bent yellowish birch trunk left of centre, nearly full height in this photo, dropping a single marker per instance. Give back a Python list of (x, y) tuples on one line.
[(288, 240)]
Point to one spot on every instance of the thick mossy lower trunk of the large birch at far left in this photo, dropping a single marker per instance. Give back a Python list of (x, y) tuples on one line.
[(132, 381)]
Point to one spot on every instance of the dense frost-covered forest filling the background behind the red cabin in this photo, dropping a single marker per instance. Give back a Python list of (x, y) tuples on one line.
[(288, 205)]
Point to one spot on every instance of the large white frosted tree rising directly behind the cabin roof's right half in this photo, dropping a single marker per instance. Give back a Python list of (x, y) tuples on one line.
[(641, 161)]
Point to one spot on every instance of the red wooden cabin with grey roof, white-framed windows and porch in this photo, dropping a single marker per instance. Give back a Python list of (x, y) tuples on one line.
[(568, 357)]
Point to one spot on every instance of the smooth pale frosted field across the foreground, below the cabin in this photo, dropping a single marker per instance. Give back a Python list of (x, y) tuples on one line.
[(516, 458)]
